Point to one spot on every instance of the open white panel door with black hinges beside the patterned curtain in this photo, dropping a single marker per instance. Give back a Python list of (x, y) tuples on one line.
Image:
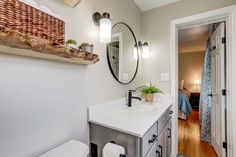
[(218, 121)]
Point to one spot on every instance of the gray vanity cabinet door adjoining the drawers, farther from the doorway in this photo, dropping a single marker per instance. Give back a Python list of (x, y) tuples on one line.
[(161, 148)]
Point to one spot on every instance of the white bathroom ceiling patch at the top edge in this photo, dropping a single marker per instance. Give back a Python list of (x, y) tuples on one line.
[(145, 5)]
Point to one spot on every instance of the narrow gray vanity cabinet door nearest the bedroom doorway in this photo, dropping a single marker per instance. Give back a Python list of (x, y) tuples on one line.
[(168, 138)]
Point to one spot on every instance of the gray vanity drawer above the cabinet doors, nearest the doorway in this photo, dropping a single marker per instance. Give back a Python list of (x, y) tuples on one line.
[(164, 119)]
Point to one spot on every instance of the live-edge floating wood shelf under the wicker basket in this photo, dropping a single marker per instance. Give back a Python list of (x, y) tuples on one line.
[(14, 43)]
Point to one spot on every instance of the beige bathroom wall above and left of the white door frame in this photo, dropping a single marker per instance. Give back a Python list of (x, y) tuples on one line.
[(156, 31)]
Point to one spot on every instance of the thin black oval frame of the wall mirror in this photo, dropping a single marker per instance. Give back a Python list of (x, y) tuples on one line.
[(109, 63)]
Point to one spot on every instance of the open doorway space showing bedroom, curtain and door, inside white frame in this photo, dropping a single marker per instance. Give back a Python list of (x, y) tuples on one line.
[(201, 69)]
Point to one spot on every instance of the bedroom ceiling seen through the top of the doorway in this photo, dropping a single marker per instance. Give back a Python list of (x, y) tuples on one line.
[(193, 39)]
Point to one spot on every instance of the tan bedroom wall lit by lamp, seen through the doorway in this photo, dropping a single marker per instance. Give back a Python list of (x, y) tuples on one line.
[(190, 68)]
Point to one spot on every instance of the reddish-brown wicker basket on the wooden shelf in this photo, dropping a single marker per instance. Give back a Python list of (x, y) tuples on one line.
[(31, 22)]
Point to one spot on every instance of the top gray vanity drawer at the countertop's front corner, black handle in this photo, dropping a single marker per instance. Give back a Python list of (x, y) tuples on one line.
[(149, 139)]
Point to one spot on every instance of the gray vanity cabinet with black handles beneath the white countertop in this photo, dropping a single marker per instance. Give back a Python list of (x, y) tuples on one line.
[(156, 142)]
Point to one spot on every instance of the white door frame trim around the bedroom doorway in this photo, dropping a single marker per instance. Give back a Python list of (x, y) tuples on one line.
[(224, 14)]
